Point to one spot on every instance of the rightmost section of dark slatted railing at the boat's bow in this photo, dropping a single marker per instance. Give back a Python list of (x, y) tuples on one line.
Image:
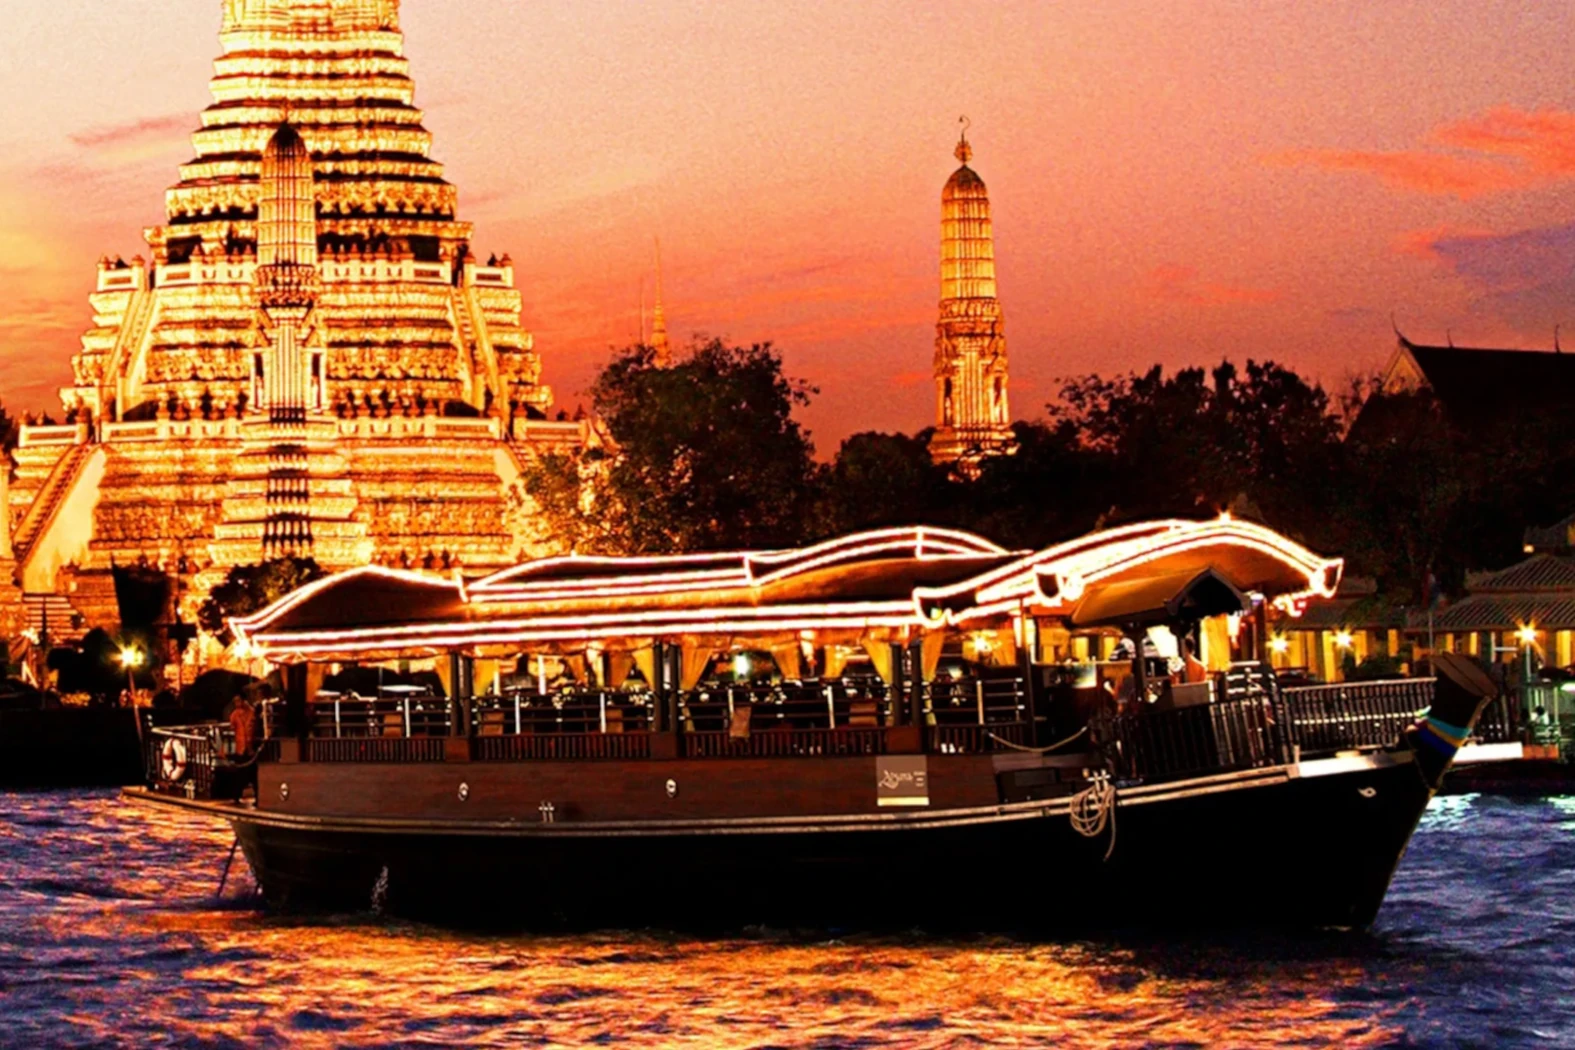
[(1355, 715)]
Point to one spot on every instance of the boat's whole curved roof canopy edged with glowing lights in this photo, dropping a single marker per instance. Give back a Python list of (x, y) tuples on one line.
[(889, 585)]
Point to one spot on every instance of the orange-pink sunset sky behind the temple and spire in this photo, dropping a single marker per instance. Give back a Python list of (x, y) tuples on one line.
[(1173, 180)]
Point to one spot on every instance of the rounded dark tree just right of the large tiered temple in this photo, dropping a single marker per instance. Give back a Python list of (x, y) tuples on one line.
[(708, 457)]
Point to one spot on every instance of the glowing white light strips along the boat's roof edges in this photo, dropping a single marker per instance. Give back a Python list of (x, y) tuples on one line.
[(681, 597)]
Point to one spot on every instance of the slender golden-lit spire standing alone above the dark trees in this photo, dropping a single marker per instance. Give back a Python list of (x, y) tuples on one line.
[(973, 415)]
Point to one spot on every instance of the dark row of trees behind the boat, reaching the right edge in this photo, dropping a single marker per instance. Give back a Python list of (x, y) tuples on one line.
[(708, 456)]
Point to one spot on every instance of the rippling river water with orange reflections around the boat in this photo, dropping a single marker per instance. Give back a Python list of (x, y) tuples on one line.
[(111, 937)]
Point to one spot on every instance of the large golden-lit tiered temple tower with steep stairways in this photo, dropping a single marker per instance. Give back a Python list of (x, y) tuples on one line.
[(311, 360)]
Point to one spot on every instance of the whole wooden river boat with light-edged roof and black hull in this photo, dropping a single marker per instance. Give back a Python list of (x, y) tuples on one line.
[(900, 728)]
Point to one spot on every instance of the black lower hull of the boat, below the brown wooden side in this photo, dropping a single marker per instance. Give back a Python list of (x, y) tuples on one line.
[(1310, 846)]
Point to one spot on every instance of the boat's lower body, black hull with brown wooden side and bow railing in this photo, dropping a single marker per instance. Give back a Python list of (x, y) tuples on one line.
[(1277, 810)]
